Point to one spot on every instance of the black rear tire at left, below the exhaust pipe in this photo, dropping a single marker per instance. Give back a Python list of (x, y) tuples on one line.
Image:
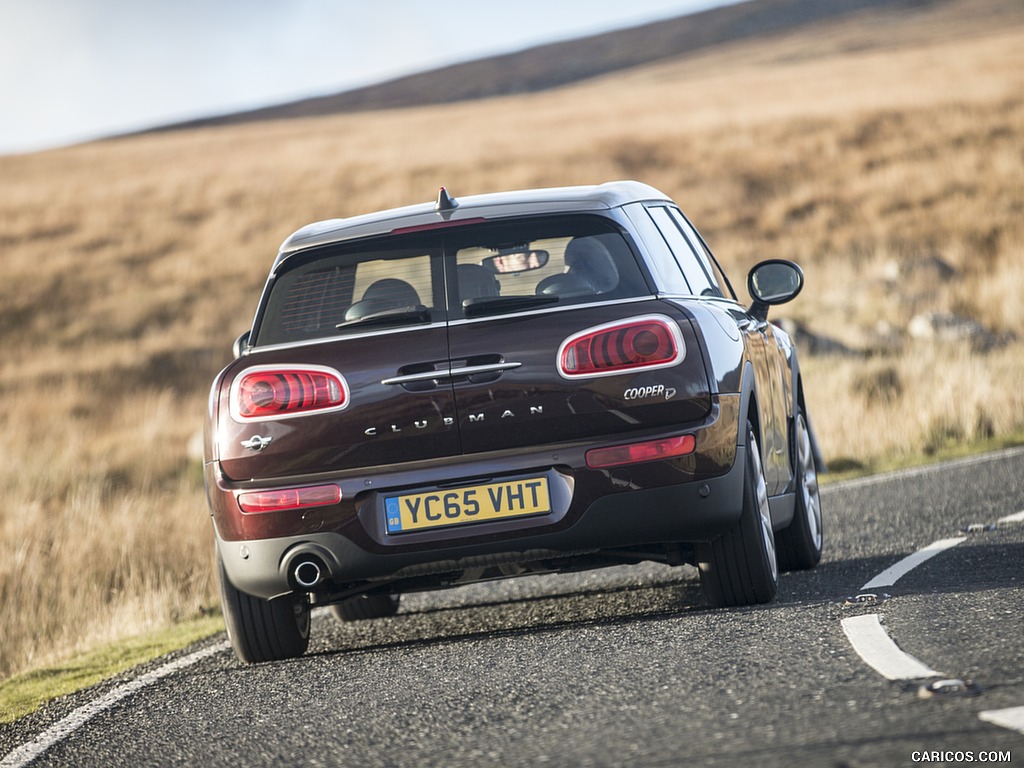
[(264, 630)]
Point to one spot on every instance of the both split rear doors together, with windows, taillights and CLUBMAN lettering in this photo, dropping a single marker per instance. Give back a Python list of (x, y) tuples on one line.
[(484, 337)]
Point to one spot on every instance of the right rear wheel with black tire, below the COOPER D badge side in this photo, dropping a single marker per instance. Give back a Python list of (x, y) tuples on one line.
[(741, 568)]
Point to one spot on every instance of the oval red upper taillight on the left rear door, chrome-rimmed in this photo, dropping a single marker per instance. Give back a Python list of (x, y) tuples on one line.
[(272, 393)]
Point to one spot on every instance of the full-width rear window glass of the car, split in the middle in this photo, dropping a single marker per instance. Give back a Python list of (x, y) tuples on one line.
[(477, 271)]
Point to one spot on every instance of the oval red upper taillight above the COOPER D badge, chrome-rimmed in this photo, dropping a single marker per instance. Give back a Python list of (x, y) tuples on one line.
[(641, 344)]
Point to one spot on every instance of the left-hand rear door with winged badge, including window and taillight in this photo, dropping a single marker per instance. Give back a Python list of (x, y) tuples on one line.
[(343, 375)]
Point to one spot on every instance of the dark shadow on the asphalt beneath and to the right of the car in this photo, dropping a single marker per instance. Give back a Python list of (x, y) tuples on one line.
[(537, 606)]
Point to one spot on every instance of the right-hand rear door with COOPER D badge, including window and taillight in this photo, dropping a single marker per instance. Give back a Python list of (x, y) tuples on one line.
[(561, 338)]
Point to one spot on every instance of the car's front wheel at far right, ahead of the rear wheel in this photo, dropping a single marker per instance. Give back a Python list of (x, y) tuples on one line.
[(800, 544)]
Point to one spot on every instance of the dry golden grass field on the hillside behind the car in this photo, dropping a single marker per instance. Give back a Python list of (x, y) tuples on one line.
[(889, 162)]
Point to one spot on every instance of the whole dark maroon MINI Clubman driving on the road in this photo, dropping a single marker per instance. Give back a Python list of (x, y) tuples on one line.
[(527, 382)]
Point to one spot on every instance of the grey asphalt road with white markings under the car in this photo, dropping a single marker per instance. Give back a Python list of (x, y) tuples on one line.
[(626, 667)]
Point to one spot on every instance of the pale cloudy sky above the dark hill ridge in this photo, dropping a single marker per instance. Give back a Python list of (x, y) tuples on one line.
[(77, 70)]
